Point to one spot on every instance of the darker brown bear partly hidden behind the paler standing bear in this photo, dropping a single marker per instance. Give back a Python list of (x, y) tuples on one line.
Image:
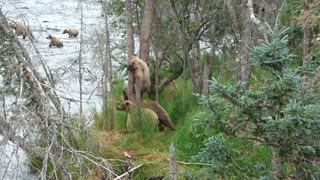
[(163, 116)]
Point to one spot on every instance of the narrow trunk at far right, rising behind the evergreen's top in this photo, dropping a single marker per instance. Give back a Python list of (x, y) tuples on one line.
[(307, 35)]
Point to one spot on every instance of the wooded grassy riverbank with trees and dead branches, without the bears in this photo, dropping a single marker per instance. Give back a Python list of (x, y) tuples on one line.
[(239, 80)]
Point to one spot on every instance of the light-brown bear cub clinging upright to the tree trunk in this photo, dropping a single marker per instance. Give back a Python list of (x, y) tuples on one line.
[(141, 73)]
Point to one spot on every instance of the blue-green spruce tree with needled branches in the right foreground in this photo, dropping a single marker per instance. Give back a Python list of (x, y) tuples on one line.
[(281, 113)]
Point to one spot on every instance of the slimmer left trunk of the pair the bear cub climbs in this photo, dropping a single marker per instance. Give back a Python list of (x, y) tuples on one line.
[(130, 46)]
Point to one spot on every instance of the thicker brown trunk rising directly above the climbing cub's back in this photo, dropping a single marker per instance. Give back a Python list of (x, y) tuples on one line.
[(145, 32)]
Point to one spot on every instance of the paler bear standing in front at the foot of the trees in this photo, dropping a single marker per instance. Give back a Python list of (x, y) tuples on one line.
[(130, 108)]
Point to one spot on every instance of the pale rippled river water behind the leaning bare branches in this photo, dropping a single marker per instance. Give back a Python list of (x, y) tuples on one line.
[(52, 17)]
